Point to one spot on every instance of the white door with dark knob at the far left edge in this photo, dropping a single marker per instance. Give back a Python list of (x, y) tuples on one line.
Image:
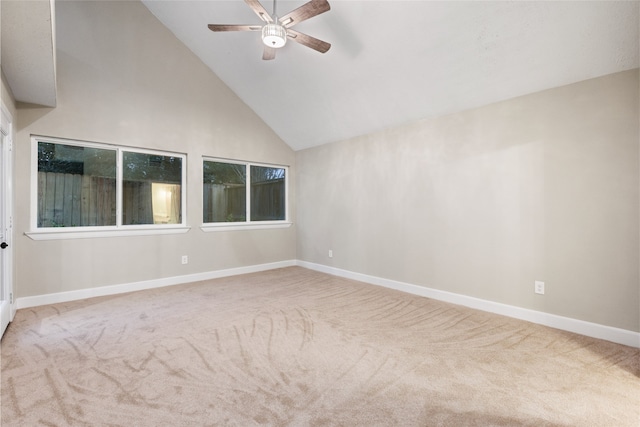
[(6, 245)]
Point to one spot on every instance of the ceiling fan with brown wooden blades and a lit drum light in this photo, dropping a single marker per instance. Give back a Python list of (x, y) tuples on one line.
[(276, 30)]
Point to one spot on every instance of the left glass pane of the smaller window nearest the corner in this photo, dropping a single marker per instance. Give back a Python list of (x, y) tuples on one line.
[(224, 192)]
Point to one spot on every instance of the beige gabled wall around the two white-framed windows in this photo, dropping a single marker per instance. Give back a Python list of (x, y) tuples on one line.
[(124, 79)]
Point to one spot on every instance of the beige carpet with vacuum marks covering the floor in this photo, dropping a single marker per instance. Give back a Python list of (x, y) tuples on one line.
[(293, 347)]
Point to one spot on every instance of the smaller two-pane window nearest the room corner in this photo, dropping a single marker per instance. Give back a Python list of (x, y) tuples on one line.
[(243, 193)]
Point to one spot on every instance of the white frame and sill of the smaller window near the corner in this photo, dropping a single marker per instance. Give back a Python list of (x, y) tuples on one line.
[(248, 224)]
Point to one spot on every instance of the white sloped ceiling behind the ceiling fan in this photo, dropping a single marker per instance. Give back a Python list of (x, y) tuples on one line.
[(393, 62)]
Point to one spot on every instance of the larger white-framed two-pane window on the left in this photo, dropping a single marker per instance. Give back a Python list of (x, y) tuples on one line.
[(79, 186)]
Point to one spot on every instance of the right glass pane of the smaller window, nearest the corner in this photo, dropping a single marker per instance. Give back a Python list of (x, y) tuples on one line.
[(267, 193)]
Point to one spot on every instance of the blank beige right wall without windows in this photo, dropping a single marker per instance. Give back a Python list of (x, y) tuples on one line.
[(485, 202)]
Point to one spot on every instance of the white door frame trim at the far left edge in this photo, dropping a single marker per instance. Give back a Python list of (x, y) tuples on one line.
[(6, 133)]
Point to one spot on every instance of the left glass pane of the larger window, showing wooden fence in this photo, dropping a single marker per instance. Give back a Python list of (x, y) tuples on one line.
[(76, 186)]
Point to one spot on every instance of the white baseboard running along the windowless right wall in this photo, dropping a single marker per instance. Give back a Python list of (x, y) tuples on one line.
[(594, 330)]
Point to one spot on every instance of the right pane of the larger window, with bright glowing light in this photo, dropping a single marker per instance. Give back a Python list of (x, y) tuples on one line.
[(151, 189)]
